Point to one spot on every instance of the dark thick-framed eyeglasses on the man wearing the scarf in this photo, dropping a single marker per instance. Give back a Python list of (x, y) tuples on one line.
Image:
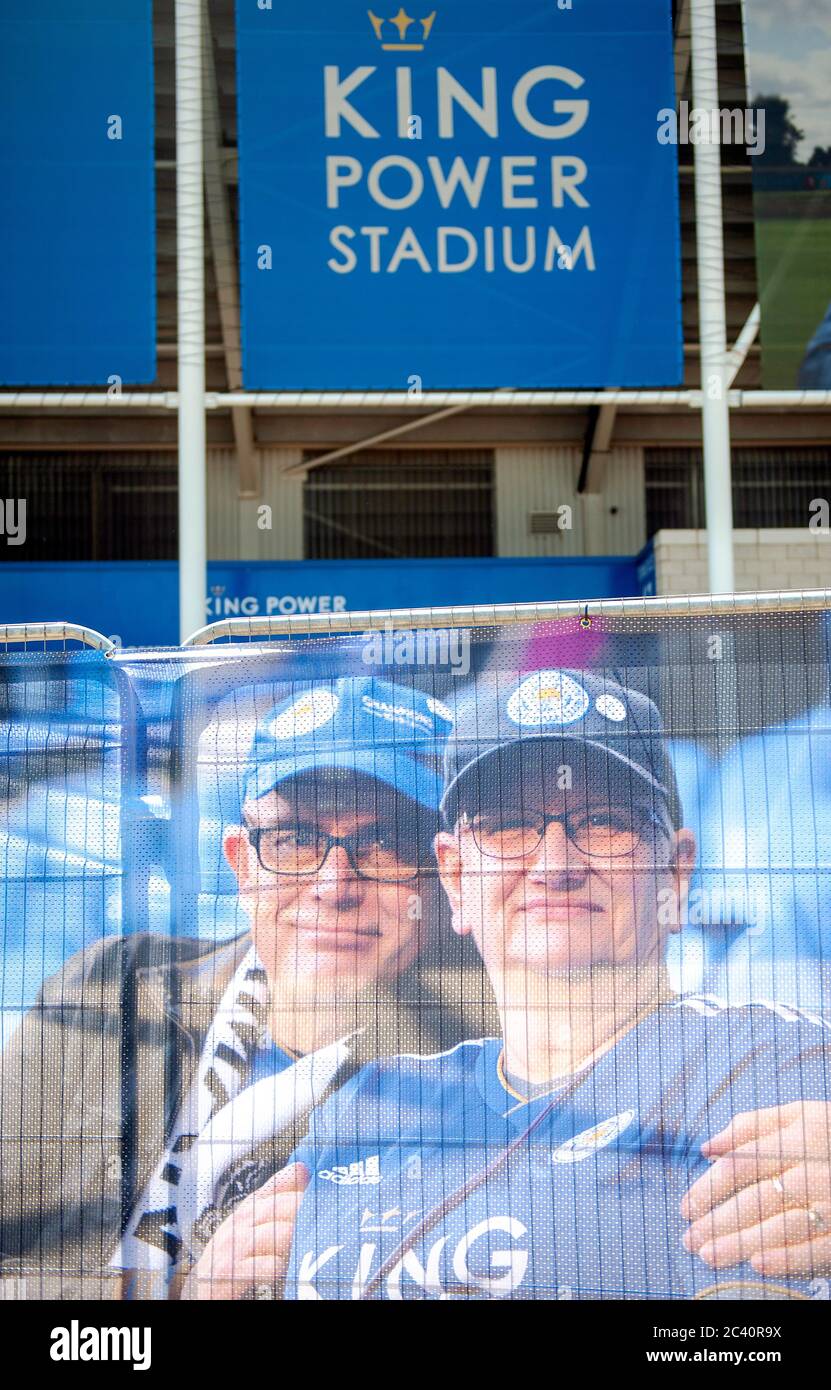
[(383, 853)]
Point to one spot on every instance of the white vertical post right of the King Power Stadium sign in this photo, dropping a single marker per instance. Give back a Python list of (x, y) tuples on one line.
[(712, 302)]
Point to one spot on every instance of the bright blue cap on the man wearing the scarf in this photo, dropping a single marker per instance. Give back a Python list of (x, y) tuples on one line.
[(393, 733)]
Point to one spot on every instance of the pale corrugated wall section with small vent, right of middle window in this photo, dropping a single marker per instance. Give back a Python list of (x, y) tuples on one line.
[(609, 522)]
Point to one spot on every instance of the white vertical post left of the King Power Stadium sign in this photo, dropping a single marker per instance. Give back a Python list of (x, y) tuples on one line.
[(191, 318)]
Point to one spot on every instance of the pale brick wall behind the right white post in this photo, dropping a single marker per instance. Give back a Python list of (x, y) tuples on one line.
[(765, 559)]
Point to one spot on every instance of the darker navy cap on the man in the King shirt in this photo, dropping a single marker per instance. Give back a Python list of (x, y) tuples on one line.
[(604, 721)]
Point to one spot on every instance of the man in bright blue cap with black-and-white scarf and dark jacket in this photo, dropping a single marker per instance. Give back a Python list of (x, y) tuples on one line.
[(233, 1046)]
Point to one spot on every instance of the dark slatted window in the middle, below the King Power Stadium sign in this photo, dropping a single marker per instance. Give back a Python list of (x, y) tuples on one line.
[(391, 505)]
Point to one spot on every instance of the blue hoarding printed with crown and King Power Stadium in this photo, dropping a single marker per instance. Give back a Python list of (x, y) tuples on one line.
[(476, 198)]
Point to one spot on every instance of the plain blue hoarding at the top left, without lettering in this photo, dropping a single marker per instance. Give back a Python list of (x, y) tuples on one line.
[(77, 201)]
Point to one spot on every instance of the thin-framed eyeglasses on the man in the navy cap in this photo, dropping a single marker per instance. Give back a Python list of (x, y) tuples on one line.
[(605, 833)]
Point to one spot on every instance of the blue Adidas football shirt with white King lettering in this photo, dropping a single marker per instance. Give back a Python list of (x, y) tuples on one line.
[(409, 1164)]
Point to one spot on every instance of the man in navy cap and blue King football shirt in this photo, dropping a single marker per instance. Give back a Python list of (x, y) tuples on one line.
[(554, 1161)]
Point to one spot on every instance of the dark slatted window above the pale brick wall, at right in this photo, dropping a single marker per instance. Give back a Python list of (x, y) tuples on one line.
[(771, 487)]
